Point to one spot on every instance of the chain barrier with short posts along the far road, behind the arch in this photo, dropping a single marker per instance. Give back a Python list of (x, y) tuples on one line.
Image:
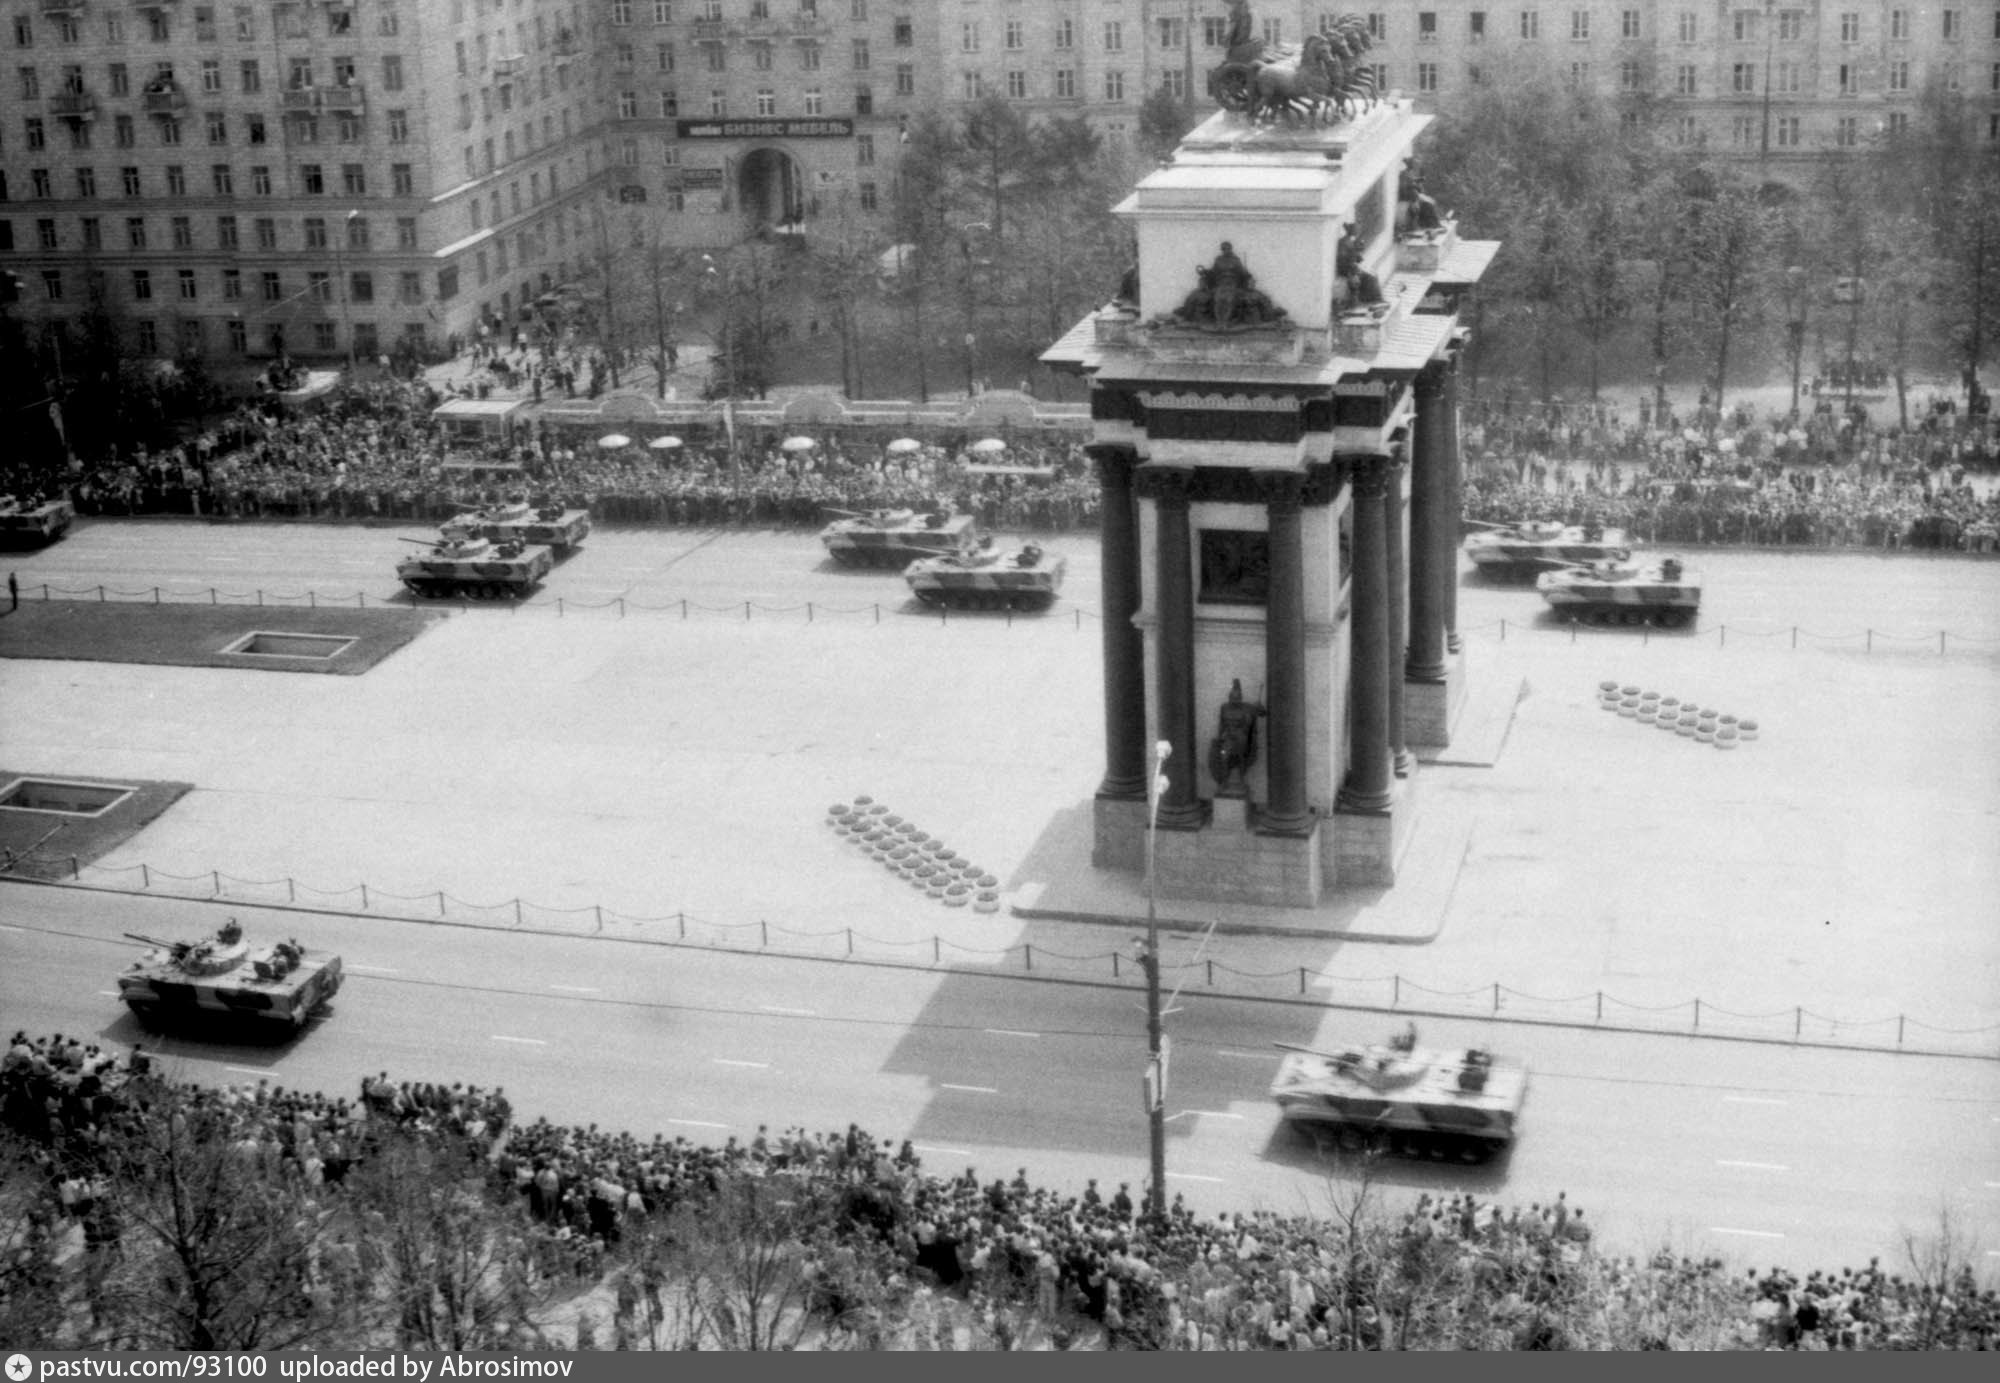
[(621, 607)]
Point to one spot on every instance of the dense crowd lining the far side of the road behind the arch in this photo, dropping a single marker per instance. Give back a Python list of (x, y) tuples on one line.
[(373, 453)]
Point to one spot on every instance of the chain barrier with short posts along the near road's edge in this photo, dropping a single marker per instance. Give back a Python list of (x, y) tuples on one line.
[(1385, 994)]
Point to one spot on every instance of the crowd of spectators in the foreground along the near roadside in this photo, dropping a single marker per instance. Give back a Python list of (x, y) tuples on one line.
[(1491, 1276)]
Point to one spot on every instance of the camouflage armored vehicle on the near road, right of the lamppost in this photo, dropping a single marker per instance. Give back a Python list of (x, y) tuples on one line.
[(1401, 1098)]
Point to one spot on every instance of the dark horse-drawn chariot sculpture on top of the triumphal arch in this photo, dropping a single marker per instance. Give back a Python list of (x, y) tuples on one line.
[(1315, 83)]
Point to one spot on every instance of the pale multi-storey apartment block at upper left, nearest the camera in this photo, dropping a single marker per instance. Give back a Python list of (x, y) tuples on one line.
[(311, 177)]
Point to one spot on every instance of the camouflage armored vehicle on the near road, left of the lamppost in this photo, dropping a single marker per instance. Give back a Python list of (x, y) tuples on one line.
[(223, 978)]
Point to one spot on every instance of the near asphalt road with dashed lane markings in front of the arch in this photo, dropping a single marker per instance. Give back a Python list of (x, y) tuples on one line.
[(1767, 1156)]
